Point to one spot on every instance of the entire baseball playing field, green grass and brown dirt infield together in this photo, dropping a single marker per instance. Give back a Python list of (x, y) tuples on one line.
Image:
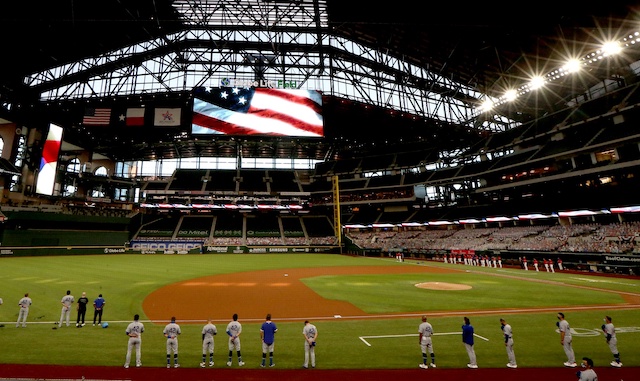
[(367, 311)]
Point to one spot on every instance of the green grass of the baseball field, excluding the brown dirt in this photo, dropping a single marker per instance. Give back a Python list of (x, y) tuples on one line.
[(388, 342)]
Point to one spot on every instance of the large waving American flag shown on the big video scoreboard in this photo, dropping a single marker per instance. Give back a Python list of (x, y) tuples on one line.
[(259, 111)]
